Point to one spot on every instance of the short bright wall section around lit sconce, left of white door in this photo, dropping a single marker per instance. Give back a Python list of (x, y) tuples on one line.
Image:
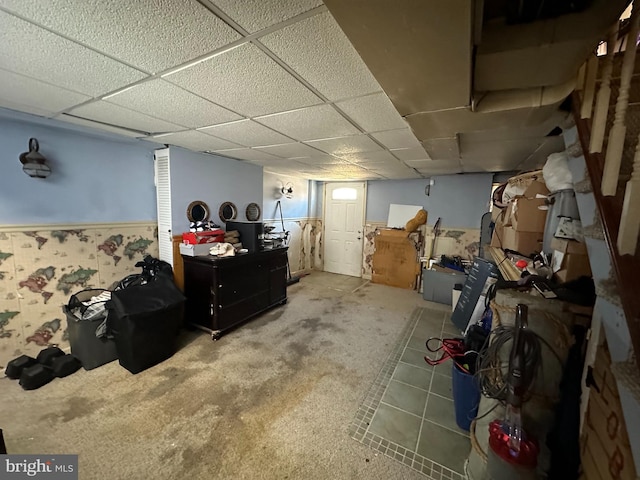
[(295, 207)]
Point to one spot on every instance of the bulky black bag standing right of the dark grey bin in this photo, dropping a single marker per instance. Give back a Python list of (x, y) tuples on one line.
[(145, 321)]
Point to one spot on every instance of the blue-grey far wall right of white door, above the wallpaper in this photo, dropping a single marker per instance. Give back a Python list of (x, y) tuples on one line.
[(460, 200)]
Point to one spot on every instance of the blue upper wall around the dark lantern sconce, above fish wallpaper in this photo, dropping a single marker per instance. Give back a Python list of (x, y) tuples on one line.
[(95, 177)]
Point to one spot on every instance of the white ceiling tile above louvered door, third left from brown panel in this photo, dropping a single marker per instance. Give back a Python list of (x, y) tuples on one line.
[(164, 100)]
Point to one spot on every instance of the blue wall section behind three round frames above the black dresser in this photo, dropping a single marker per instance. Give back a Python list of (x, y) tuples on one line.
[(214, 180)]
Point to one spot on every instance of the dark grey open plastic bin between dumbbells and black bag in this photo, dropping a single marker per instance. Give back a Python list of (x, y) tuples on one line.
[(85, 346)]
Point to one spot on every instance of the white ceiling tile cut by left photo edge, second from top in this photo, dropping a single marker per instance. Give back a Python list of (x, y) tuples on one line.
[(37, 53)]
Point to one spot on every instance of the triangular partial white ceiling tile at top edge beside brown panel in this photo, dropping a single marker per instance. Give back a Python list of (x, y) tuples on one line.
[(255, 15)]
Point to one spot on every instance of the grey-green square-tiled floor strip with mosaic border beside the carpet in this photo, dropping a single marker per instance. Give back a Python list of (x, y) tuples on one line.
[(408, 413)]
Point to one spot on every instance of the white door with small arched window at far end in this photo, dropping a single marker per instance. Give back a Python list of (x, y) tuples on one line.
[(344, 205)]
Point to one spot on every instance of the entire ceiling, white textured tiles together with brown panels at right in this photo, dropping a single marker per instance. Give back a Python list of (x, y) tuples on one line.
[(282, 84)]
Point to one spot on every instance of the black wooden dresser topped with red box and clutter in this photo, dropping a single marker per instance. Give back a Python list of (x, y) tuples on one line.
[(224, 292)]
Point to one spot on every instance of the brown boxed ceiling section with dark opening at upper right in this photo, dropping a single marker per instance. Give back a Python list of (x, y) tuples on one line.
[(480, 87)]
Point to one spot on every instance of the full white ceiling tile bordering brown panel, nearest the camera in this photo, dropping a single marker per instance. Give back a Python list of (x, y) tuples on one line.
[(318, 50)]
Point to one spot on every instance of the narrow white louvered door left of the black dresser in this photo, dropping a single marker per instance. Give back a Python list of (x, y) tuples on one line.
[(163, 196)]
